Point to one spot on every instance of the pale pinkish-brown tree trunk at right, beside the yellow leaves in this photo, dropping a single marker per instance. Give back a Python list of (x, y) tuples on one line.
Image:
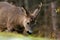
[(54, 19)]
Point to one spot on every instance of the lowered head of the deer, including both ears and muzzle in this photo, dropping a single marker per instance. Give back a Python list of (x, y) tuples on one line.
[(29, 18)]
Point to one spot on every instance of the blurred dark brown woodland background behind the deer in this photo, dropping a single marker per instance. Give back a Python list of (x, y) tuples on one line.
[(48, 20)]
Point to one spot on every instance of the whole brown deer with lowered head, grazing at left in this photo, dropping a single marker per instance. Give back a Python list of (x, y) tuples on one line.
[(11, 15)]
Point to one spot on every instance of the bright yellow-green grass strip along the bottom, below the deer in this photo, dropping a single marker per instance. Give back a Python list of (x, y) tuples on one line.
[(15, 36)]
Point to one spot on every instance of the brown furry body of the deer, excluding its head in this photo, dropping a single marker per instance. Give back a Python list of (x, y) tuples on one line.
[(10, 15)]
